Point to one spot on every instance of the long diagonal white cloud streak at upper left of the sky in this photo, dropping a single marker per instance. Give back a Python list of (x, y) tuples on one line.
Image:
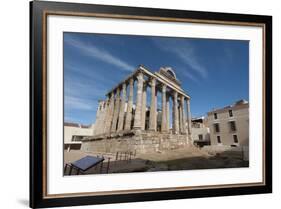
[(90, 50)]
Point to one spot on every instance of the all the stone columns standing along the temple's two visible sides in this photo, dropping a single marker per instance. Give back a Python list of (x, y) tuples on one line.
[(114, 117)]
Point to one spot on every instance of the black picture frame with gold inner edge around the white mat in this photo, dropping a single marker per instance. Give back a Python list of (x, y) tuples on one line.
[(38, 11)]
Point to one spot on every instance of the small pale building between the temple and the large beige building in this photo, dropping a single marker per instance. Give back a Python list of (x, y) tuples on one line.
[(200, 132)]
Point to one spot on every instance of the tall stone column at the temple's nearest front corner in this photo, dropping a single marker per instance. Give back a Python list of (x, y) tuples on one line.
[(137, 118)]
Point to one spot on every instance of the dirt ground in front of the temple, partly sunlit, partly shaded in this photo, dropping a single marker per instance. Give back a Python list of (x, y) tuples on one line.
[(183, 159)]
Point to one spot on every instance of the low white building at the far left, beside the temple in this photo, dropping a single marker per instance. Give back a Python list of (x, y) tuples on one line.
[(74, 133)]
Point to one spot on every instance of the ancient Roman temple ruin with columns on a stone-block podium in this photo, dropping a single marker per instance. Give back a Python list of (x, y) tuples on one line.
[(135, 121)]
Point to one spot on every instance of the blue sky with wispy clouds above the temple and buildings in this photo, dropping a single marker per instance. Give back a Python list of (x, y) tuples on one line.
[(213, 72)]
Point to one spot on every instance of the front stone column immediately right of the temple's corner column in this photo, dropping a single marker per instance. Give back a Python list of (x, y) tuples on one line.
[(153, 102)]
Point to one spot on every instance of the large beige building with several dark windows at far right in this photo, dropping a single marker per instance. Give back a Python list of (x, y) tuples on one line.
[(229, 126)]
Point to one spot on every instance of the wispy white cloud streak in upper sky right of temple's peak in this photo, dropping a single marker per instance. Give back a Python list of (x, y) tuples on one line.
[(185, 52)]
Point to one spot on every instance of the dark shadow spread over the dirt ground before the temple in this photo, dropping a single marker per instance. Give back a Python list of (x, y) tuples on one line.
[(227, 159)]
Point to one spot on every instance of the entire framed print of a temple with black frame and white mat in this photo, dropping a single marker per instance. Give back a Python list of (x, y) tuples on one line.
[(140, 104)]
